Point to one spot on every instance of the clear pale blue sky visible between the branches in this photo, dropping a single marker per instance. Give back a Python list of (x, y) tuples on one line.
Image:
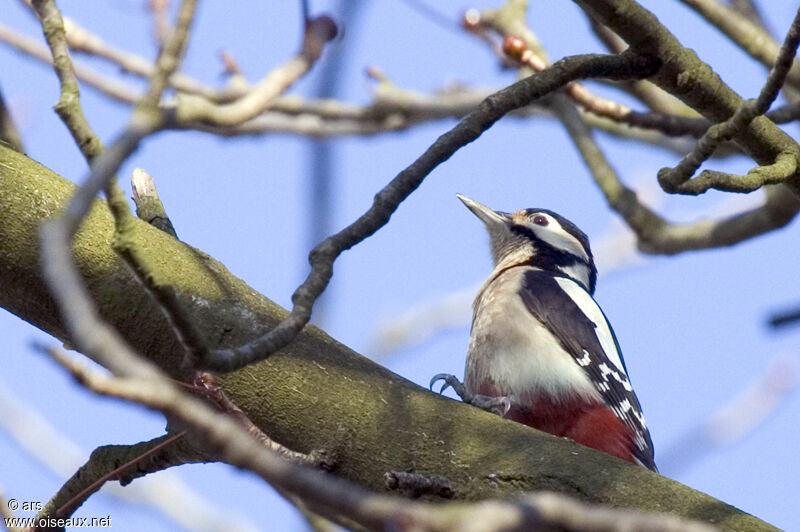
[(692, 327)]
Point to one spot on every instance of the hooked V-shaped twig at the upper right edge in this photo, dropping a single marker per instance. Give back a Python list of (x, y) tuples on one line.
[(678, 179)]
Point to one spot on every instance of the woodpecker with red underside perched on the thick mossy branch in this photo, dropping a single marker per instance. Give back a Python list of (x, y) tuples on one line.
[(541, 351)]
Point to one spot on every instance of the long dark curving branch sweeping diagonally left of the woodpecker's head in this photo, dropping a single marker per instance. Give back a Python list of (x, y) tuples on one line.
[(624, 66)]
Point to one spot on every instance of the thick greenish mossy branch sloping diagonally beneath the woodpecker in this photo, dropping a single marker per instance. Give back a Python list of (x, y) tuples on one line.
[(315, 393)]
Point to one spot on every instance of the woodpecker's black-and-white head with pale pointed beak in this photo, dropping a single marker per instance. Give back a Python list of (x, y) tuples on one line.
[(539, 238)]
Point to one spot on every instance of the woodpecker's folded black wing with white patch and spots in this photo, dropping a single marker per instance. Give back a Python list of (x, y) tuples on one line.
[(573, 316)]
